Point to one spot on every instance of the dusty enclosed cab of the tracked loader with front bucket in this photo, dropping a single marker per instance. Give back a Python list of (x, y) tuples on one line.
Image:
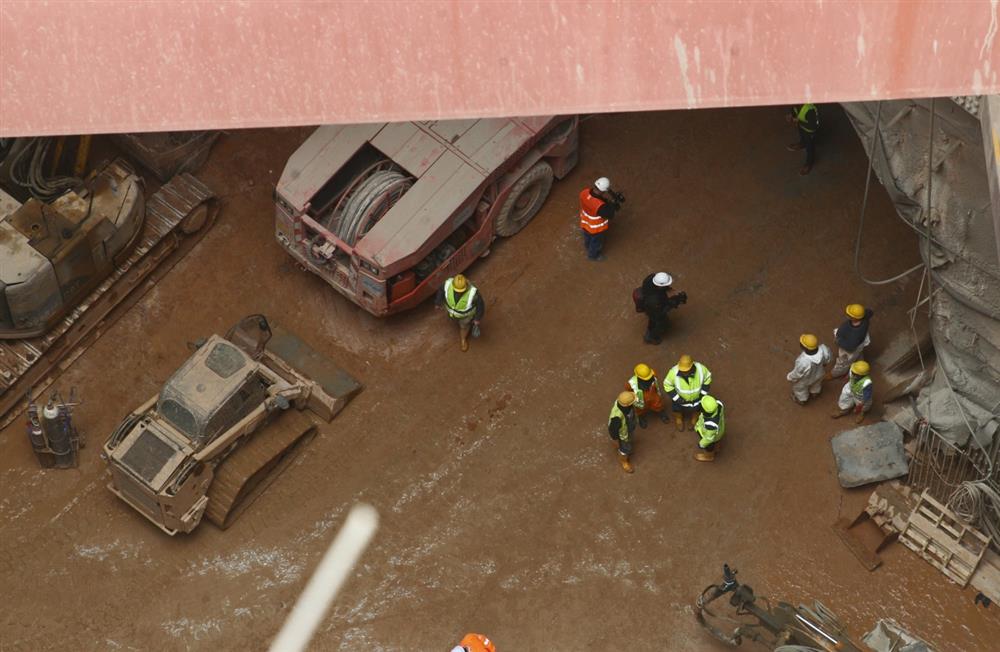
[(214, 389)]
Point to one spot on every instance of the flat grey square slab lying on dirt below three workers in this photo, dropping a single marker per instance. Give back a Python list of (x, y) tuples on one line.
[(869, 454)]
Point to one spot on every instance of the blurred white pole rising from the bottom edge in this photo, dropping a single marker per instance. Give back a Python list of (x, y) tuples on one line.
[(329, 576)]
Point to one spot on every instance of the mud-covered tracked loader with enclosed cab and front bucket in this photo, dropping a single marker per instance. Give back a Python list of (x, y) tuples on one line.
[(223, 426)]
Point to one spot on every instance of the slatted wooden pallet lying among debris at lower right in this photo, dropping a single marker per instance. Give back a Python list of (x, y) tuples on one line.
[(936, 534)]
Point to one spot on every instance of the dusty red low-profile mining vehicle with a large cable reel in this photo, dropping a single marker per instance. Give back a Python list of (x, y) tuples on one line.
[(386, 212)]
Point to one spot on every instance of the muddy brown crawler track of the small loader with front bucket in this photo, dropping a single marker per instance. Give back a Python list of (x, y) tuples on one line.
[(255, 464)]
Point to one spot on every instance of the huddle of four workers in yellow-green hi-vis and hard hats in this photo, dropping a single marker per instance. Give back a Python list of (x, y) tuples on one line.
[(688, 386)]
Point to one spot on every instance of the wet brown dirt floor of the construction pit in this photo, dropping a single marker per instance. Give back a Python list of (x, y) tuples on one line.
[(503, 509)]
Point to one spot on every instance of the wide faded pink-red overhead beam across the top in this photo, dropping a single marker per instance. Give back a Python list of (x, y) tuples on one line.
[(86, 67)]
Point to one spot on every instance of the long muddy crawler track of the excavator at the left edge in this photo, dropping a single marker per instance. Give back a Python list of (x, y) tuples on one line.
[(32, 364)]
